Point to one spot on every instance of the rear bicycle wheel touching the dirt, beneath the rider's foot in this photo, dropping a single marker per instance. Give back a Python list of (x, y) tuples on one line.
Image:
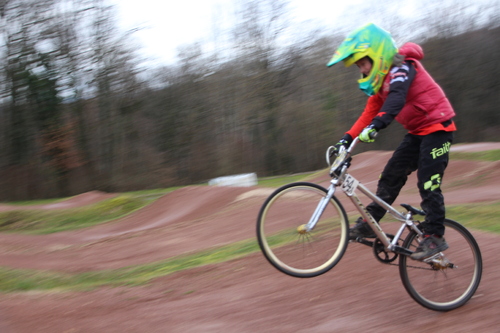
[(444, 289)]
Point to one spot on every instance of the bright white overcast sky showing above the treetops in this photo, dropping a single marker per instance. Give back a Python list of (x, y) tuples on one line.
[(168, 24)]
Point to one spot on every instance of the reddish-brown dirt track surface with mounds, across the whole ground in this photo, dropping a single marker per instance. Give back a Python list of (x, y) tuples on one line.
[(245, 294)]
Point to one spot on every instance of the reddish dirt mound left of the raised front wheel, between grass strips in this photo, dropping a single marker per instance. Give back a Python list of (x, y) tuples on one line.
[(175, 224)]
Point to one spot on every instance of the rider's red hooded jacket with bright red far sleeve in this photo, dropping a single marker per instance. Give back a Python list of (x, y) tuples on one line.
[(426, 104)]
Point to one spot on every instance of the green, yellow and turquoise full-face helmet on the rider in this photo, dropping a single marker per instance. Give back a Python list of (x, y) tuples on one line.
[(368, 41)]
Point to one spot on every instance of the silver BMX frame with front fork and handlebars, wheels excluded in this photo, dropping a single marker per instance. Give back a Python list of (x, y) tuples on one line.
[(349, 185)]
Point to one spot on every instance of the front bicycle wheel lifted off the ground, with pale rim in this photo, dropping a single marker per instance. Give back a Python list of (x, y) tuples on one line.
[(296, 252)]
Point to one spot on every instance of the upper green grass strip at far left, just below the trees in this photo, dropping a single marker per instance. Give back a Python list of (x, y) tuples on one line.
[(50, 221)]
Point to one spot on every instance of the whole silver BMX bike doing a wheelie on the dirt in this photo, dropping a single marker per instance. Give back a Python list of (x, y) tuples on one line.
[(303, 231)]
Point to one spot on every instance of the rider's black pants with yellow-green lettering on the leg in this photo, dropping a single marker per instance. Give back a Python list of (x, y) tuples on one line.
[(429, 154)]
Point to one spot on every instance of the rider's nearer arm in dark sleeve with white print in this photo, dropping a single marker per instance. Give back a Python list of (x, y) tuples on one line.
[(400, 81)]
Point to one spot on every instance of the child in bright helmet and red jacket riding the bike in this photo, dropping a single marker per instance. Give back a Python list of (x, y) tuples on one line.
[(400, 88)]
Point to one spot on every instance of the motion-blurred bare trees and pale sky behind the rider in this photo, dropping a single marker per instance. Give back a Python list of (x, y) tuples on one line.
[(84, 107)]
